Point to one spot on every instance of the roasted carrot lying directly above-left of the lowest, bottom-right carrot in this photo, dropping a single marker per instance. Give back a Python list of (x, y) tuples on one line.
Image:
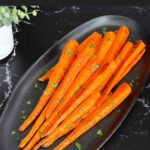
[(76, 116)]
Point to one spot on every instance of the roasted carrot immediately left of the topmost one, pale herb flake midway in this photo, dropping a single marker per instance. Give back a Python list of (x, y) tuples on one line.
[(91, 66)]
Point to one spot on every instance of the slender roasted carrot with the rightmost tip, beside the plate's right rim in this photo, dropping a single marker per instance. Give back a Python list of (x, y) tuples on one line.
[(138, 48)]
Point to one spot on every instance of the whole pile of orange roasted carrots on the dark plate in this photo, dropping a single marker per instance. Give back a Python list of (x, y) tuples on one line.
[(79, 90)]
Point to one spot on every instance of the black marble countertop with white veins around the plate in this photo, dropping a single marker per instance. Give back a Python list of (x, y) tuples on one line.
[(33, 38)]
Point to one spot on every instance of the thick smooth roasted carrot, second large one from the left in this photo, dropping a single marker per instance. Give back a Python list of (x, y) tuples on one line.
[(77, 65)]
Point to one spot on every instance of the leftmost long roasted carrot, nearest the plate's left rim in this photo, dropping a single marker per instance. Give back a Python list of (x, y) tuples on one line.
[(64, 62)]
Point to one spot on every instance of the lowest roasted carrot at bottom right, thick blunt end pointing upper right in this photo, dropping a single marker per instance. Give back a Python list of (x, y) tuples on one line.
[(105, 109)]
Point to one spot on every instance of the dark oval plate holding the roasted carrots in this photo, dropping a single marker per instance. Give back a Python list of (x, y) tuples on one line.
[(24, 90)]
